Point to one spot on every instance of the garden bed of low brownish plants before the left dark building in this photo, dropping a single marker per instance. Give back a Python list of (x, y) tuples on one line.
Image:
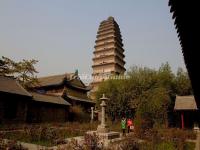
[(46, 134)]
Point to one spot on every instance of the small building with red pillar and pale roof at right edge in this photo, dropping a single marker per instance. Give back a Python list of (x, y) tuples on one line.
[(187, 111)]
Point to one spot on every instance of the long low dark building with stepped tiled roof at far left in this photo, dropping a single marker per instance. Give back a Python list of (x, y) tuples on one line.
[(18, 105)]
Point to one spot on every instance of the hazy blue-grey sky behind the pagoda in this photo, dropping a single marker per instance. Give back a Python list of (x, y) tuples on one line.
[(61, 34)]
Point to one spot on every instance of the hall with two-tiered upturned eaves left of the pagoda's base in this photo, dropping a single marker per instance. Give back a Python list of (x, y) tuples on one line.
[(69, 86)]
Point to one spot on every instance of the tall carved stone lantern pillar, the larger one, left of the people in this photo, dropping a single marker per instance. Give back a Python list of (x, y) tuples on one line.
[(103, 128)]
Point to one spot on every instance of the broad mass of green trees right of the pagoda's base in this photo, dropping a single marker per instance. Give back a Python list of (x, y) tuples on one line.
[(149, 92)]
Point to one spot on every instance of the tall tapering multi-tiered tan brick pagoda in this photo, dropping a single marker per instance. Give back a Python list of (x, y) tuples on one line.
[(109, 53)]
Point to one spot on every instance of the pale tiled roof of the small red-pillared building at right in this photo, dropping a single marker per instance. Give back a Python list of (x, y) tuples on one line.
[(185, 103)]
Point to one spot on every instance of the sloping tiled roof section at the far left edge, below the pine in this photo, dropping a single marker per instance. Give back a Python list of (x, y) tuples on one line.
[(10, 85)]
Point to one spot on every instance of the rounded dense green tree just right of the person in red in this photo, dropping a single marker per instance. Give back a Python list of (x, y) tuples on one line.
[(153, 108)]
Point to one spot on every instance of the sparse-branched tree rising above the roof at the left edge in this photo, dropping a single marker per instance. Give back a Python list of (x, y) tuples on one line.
[(24, 71)]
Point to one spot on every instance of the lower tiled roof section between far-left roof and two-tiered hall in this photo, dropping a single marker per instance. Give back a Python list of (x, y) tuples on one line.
[(49, 98)]
